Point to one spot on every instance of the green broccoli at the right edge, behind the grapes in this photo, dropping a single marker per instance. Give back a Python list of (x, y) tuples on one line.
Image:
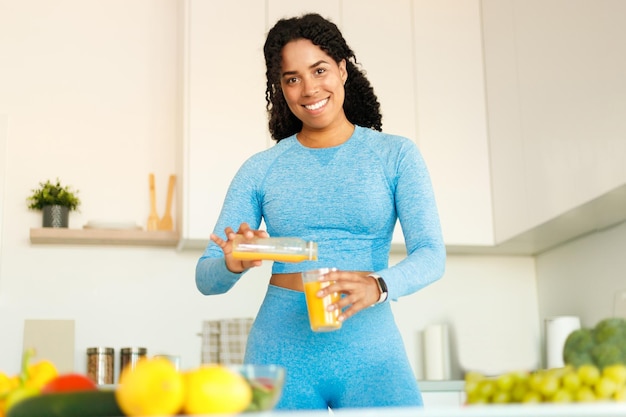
[(601, 346)]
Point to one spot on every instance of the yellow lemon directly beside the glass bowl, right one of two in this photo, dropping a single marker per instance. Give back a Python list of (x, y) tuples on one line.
[(216, 389)]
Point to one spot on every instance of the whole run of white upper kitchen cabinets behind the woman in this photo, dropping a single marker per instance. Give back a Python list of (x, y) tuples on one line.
[(520, 150)]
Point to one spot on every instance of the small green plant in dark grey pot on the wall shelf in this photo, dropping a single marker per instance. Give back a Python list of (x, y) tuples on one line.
[(55, 201)]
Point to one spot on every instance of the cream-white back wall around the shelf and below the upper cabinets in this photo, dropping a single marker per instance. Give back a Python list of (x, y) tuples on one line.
[(91, 91)]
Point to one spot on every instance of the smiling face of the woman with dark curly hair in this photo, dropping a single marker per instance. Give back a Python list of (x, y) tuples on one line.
[(312, 84)]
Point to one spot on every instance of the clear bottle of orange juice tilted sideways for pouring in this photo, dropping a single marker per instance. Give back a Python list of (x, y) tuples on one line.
[(281, 249)]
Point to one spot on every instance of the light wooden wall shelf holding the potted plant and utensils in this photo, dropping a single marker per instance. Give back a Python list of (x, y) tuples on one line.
[(52, 235)]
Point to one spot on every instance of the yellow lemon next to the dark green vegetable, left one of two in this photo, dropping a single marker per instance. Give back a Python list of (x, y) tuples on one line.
[(152, 388)]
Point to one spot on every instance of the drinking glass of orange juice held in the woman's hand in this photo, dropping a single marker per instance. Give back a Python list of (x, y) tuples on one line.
[(320, 319)]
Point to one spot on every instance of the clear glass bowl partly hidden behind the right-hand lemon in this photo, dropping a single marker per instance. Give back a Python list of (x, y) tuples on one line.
[(266, 382)]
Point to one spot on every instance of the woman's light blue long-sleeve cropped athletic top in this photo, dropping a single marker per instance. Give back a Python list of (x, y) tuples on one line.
[(346, 198)]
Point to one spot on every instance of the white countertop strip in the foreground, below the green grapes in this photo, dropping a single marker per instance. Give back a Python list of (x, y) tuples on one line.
[(512, 410)]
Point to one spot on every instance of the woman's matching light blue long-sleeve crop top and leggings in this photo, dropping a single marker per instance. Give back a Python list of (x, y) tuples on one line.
[(346, 198)]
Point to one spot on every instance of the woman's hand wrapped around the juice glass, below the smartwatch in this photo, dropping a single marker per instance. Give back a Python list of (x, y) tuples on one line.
[(360, 292)]
